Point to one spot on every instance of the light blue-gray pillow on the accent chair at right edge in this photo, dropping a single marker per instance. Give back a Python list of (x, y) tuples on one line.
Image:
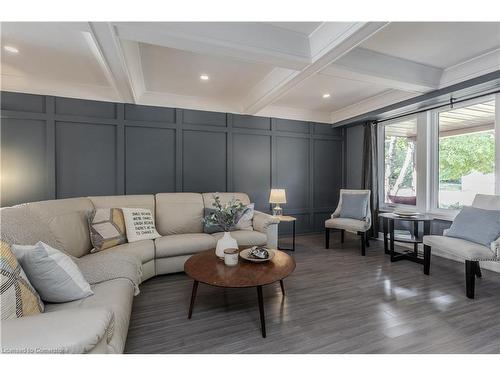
[(476, 225)]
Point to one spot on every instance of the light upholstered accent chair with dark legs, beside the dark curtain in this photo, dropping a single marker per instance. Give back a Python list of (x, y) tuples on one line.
[(359, 227)]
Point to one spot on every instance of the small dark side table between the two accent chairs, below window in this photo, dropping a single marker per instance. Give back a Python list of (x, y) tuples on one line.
[(388, 221)]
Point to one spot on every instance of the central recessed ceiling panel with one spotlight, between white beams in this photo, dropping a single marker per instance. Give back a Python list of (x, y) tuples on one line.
[(174, 71)]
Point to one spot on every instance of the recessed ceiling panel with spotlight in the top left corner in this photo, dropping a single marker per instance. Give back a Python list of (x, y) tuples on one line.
[(59, 52)]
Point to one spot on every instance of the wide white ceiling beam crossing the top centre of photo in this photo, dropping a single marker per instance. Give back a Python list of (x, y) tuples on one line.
[(248, 41)]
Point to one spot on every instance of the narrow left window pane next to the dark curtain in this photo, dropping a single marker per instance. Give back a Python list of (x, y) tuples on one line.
[(400, 162)]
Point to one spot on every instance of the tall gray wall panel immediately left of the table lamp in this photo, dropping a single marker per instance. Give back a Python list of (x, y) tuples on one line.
[(251, 168)]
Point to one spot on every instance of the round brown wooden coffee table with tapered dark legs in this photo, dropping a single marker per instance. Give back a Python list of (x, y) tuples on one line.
[(207, 268)]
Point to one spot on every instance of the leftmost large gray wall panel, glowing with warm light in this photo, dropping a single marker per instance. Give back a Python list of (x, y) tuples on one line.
[(24, 164)]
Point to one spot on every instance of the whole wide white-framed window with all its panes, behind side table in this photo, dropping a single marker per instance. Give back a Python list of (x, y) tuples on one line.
[(438, 160)]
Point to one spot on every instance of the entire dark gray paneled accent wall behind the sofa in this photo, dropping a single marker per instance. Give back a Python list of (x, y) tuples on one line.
[(56, 147)]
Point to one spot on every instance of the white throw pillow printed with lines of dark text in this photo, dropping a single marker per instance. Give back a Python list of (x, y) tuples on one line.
[(139, 224)]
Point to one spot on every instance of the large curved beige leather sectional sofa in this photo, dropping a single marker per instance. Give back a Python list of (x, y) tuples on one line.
[(99, 323)]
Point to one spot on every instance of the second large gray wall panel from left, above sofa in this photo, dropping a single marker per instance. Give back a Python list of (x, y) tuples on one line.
[(85, 159)]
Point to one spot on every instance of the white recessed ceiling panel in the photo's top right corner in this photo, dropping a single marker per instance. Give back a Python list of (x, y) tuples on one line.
[(439, 44)]
